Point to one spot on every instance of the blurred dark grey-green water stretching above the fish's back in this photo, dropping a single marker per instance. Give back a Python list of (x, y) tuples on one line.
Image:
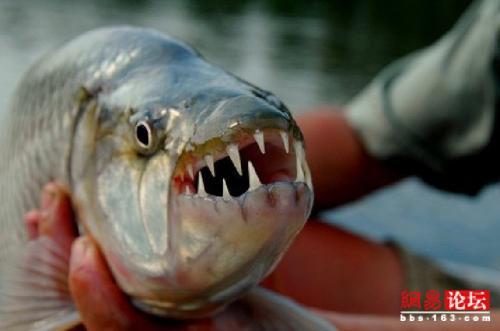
[(308, 52)]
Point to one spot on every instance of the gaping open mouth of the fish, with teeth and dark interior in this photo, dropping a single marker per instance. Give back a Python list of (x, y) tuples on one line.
[(247, 162)]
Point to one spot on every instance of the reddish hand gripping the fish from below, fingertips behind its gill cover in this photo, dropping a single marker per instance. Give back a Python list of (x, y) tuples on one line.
[(100, 302)]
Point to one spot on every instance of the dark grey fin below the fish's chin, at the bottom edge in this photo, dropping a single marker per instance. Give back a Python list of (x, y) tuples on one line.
[(263, 310)]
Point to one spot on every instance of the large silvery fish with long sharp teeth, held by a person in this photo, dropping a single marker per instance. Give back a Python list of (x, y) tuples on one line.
[(192, 181)]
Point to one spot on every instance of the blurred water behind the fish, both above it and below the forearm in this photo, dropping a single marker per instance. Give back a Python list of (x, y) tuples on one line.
[(309, 53)]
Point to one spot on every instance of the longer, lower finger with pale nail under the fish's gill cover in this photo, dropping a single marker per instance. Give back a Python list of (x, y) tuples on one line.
[(99, 300)]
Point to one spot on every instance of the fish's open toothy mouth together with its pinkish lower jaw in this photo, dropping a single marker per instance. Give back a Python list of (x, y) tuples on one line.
[(225, 240)]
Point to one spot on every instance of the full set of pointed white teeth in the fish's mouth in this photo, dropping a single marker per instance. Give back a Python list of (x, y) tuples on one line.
[(254, 182)]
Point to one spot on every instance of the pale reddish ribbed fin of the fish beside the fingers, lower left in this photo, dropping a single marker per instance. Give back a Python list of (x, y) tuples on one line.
[(34, 292)]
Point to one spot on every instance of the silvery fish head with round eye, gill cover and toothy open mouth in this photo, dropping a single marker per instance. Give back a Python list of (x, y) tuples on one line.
[(193, 199)]
